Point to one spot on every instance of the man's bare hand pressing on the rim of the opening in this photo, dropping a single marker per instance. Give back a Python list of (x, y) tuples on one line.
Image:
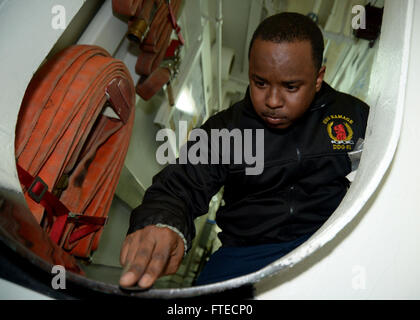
[(148, 254)]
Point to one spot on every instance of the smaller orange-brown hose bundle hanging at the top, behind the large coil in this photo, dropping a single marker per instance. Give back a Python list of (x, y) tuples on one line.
[(157, 61)]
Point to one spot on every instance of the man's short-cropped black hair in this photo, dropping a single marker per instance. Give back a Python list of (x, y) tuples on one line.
[(291, 27)]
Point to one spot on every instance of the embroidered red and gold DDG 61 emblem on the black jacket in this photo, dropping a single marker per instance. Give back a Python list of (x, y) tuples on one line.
[(340, 131)]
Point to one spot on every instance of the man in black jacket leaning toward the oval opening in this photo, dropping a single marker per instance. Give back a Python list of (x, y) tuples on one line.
[(308, 130)]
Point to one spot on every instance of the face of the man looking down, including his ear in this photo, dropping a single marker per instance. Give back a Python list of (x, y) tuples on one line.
[(283, 81)]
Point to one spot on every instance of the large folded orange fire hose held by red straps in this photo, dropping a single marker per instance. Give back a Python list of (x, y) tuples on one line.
[(70, 147)]
